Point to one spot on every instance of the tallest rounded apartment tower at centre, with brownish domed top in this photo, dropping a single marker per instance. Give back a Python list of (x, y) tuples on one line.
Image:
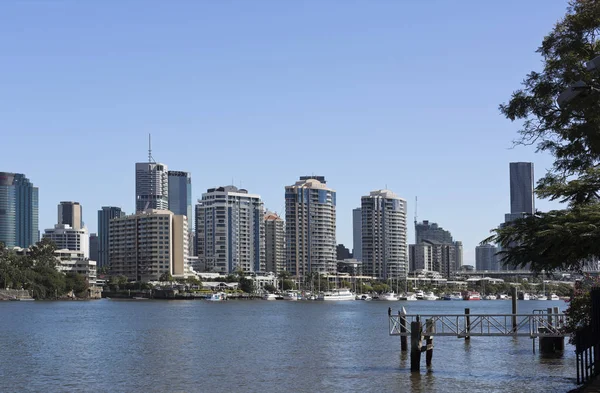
[(310, 228)]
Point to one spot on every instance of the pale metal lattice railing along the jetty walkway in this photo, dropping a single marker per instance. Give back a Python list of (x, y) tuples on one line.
[(527, 325)]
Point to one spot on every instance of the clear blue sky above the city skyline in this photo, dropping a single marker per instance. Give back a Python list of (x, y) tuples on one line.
[(366, 93)]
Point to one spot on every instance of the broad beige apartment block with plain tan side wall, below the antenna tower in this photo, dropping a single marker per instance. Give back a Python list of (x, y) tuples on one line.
[(148, 244)]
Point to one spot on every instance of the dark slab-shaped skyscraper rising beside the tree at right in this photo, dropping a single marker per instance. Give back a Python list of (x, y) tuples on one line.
[(521, 188)]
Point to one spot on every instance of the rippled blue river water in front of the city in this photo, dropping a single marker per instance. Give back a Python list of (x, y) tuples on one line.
[(257, 346)]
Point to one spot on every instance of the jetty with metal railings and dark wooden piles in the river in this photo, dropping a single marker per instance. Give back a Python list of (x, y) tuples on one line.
[(546, 325)]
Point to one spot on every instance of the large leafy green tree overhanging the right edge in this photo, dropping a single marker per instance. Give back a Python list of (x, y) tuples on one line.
[(565, 238)]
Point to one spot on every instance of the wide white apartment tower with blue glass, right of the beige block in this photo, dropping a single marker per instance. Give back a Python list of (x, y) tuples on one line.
[(230, 230)]
